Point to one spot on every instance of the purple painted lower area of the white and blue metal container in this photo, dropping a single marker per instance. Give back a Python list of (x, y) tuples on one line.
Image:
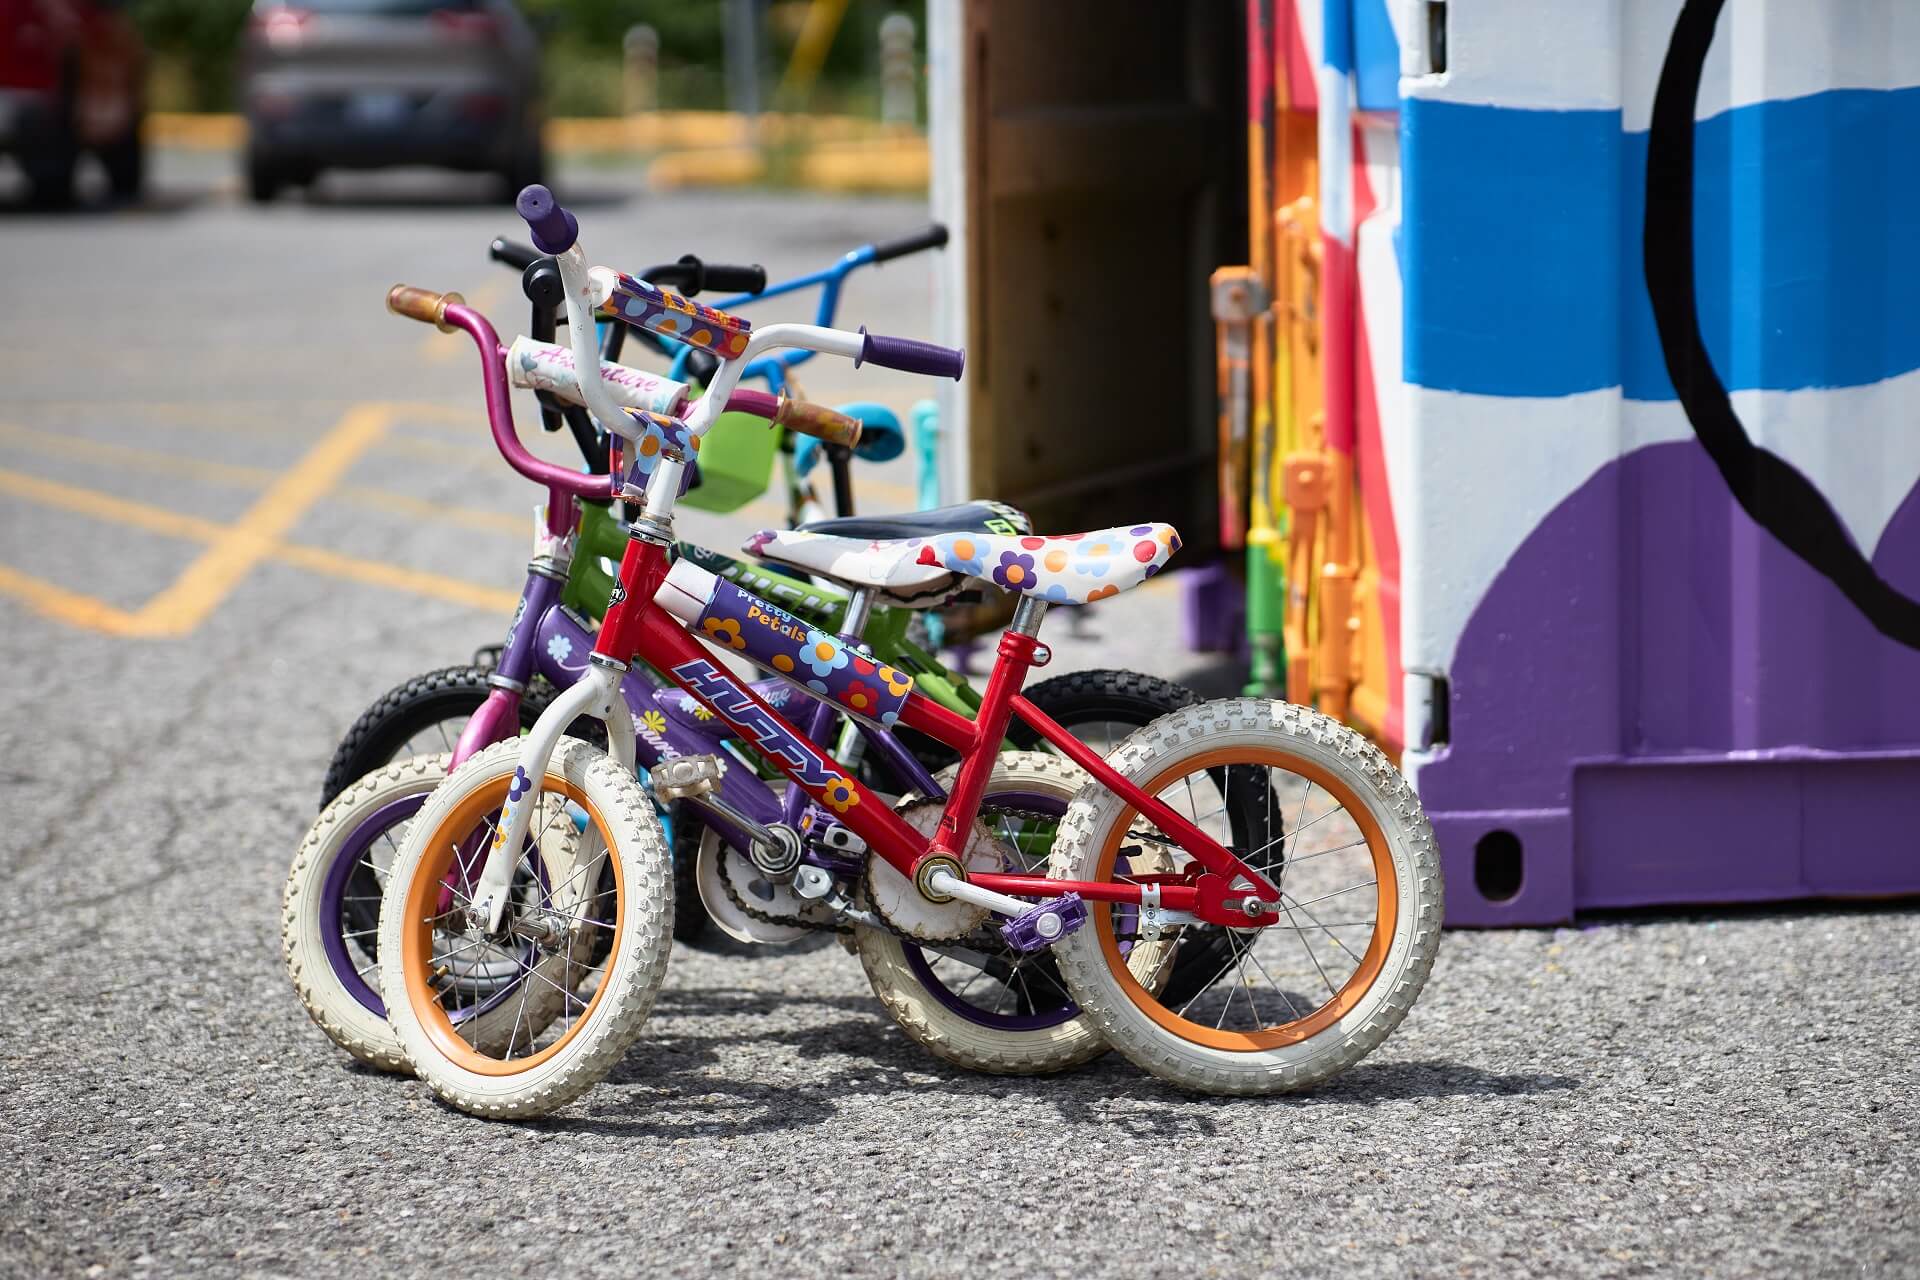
[(1648, 623)]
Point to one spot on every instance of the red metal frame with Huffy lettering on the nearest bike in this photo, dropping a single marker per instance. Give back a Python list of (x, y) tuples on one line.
[(638, 628)]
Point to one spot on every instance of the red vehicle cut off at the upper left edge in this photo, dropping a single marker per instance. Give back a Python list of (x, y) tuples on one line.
[(72, 80)]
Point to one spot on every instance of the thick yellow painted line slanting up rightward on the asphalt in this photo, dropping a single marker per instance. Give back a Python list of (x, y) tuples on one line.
[(187, 602)]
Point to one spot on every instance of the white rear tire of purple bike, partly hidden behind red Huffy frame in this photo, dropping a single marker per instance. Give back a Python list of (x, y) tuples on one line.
[(971, 1035)]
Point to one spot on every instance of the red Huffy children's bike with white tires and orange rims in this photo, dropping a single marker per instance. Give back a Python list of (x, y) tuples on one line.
[(550, 849)]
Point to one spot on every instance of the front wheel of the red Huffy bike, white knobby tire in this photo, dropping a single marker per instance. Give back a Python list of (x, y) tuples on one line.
[(608, 987)]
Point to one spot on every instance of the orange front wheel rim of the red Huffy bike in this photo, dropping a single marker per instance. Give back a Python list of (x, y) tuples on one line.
[(418, 939)]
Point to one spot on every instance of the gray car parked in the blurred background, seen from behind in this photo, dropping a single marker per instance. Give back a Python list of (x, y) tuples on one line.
[(375, 83)]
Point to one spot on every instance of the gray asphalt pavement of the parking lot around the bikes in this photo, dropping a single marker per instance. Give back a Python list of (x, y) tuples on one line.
[(239, 502)]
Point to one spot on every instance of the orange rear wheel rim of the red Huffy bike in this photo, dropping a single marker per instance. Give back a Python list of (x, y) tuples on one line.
[(1356, 985)]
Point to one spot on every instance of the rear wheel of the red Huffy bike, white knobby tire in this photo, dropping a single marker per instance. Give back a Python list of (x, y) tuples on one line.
[(1247, 1053)]
